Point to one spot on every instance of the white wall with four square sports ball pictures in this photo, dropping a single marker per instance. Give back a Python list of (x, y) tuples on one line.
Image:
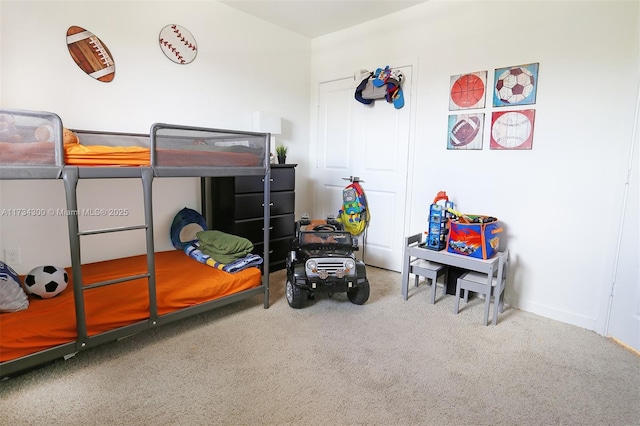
[(560, 202)]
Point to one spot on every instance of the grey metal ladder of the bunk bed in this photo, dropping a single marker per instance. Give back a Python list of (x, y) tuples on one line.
[(70, 176)]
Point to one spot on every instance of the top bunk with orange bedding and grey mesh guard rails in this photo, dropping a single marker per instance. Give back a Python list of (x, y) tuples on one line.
[(38, 140)]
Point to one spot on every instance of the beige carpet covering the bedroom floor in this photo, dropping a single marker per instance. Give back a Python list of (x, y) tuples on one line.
[(388, 362)]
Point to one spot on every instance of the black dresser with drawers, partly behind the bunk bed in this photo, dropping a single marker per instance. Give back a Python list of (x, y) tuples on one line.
[(235, 205)]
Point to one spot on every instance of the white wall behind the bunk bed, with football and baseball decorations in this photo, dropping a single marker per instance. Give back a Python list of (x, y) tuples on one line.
[(243, 65)]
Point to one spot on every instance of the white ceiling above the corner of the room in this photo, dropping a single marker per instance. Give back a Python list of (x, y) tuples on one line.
[(314, 18)]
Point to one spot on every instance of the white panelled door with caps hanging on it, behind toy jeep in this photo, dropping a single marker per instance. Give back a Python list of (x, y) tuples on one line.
[(372, 143)]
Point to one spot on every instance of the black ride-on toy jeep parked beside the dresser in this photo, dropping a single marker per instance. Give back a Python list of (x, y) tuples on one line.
[(322, 260)]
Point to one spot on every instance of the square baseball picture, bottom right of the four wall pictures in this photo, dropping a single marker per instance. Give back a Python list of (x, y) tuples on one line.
[(512, 129)]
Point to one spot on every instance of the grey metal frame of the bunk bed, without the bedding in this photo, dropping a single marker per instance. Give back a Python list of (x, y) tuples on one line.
[(71, 175)]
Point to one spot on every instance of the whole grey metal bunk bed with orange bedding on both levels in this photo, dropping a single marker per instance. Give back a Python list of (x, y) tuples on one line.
[(112, 299)]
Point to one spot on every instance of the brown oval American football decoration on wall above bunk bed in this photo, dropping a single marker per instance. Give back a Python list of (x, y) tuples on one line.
[(90, 54)]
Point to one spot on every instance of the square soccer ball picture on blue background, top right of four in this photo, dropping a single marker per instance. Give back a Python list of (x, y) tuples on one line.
[(515, 85)]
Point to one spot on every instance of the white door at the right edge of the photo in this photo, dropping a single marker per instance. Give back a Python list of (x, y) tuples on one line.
[(624, 316)]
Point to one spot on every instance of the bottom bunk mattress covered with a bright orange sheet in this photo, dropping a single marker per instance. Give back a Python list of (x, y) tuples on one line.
[(180, 282)]
